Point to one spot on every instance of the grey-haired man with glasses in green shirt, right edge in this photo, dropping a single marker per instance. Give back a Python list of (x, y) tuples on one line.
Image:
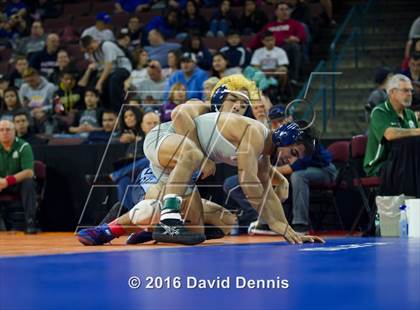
[(390, 120)]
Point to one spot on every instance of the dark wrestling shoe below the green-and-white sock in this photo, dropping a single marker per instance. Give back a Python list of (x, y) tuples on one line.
[(176, 232)]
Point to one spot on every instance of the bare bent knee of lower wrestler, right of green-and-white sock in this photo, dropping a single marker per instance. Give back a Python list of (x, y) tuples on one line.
[(218, 216)]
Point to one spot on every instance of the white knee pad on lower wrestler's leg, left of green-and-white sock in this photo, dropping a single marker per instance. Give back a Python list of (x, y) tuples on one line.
[(146, 212)]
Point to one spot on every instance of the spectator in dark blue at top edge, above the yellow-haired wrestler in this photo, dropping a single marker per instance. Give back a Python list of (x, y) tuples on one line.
[(222, 20)]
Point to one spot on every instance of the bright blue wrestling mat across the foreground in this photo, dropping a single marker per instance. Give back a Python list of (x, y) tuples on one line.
[(350, 273)]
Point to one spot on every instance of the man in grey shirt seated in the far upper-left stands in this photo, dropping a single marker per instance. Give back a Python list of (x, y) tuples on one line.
[(34, 43)]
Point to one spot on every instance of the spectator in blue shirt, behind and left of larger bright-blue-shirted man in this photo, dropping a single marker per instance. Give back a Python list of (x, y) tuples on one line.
[(158, 48)]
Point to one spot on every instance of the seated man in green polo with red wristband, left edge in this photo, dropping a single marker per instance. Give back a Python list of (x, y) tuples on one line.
[(16, 171)]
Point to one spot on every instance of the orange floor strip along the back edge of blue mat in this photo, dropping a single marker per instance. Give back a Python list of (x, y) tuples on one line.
[(19, 244)]
